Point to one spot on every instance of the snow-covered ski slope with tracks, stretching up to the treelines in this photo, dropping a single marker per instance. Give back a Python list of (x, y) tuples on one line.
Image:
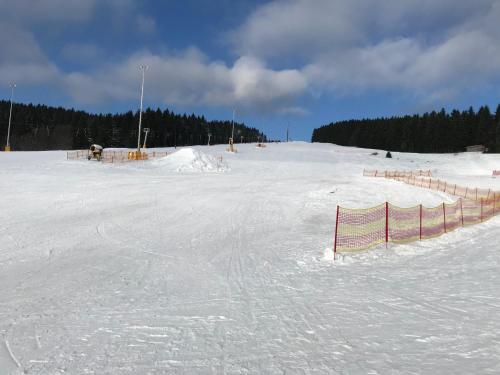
[(195, 265)]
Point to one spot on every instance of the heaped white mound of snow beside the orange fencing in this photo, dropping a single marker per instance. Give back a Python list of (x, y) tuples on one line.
[(191, 160)]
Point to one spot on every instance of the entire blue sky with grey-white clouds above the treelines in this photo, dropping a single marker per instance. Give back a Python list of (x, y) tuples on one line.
[(302, 62)]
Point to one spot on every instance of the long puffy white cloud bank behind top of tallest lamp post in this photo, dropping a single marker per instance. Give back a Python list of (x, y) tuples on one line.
[(190, 78)]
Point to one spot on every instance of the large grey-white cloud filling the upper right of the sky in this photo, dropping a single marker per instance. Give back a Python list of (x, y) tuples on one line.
[(425, 48)]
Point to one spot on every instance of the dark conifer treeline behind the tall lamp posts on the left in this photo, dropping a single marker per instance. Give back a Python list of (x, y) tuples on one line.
[(39, 127)]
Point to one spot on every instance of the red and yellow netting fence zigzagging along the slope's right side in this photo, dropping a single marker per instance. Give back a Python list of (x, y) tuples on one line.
[(360, 229)]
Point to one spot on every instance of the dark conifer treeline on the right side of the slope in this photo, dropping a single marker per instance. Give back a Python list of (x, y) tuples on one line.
[(434, 132)]
